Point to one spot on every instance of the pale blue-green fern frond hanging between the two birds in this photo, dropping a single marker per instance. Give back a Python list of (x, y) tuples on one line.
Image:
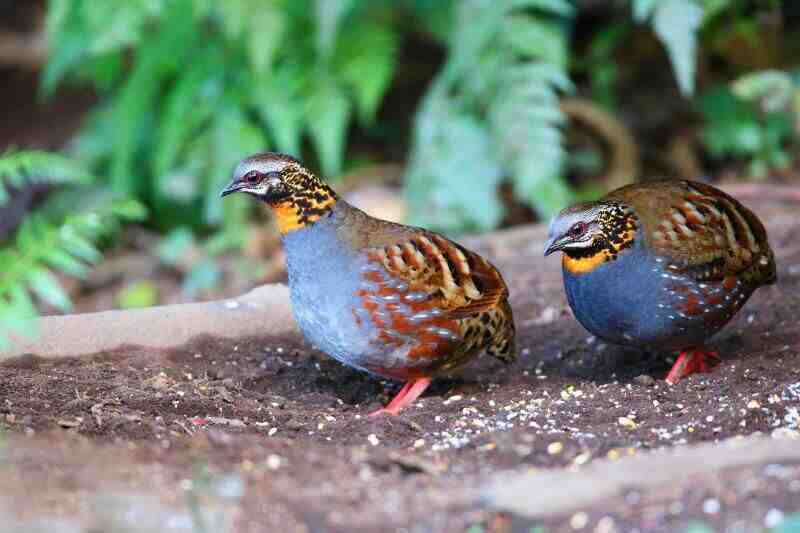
[(511, 111)]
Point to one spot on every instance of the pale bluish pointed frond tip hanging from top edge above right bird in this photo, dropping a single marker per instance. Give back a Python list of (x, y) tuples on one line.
[(676, 22)]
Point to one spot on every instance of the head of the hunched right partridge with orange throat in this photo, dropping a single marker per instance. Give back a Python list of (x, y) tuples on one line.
[(591, 233)]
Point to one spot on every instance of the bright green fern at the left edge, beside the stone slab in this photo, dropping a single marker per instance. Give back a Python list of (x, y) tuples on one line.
[(61, 235)]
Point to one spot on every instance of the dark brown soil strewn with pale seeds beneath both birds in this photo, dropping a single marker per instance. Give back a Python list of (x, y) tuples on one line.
[(291, 424)]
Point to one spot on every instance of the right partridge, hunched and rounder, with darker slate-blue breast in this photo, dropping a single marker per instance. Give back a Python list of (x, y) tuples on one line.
[(661, 265)]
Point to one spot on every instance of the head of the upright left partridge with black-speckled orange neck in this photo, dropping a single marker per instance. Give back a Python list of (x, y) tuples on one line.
[(297, 197)]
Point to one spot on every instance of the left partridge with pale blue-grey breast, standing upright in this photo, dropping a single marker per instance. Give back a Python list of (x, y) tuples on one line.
[(398, 301)]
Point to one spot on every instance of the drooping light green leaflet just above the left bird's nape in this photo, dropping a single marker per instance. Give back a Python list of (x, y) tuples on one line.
[(327, 118)]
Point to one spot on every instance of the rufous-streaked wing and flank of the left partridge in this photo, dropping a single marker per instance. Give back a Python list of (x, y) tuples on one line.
[(445, 300)]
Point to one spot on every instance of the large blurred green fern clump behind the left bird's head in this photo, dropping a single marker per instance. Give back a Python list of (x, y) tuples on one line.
[(192, 86)]
